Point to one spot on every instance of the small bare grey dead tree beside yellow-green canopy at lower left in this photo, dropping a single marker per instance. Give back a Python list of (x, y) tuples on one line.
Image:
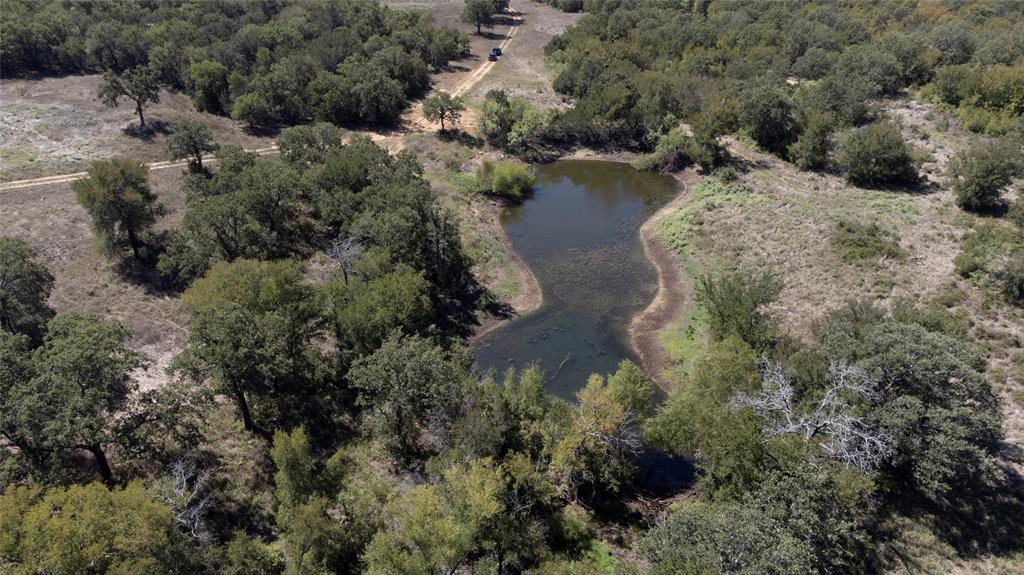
[(185, 489)]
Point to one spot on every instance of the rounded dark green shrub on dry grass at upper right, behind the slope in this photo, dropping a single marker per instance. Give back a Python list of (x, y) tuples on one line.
[(877, 156)]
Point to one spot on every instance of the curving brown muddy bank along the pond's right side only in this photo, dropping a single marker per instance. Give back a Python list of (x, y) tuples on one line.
[(673, 292)]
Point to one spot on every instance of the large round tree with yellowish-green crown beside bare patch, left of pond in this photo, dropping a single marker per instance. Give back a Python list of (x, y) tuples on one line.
[(251, 337)]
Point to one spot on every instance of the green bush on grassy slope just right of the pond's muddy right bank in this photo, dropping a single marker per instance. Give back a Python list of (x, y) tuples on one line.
[(735, 301)]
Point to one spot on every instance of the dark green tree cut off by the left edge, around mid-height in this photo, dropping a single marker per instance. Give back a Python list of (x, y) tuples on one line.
[(25, 288)]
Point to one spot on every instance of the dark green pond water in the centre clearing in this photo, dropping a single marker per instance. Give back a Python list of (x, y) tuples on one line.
[(580, 236)]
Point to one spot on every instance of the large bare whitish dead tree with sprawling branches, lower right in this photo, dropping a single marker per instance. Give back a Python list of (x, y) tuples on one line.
[(842, 436)]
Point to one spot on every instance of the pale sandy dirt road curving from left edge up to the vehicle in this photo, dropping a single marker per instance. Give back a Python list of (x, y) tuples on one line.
[(413, 120)]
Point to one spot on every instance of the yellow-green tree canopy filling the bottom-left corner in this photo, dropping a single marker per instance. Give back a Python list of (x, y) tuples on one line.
[(91, 529)]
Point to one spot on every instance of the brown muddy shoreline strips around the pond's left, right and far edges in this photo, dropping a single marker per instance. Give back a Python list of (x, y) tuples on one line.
[(647, 328)]
